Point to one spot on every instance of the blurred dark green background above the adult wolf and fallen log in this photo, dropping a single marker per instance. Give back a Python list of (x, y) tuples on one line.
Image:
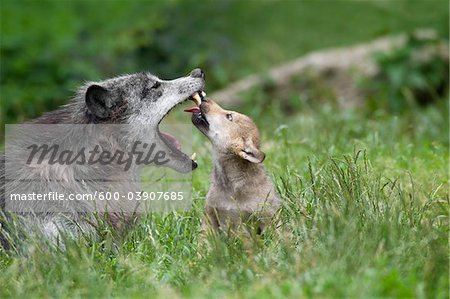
[(48, 48)]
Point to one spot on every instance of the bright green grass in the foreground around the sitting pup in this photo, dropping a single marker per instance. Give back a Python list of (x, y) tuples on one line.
[(365, 214)]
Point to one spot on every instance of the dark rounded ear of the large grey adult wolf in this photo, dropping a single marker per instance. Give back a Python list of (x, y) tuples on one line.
[(98, 101)]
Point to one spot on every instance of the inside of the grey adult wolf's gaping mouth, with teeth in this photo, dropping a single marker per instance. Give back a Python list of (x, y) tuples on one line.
[(172, 142)]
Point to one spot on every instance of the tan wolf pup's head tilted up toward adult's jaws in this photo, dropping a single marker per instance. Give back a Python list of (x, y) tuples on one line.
[(230, 132)]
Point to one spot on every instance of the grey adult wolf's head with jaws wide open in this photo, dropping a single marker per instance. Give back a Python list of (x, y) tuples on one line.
[(141, 101)]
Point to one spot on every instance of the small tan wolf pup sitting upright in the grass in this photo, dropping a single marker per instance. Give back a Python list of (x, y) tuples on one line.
[(240, 189)]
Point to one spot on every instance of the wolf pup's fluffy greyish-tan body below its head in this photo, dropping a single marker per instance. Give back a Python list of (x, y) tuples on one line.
[(240, 192)]
